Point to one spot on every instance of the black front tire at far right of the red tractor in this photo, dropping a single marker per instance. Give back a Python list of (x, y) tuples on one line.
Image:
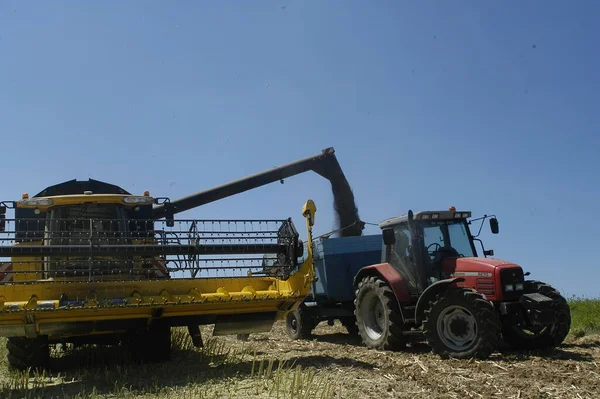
[(527, 338)]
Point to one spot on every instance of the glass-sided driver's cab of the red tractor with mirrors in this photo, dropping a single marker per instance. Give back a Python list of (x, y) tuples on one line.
[(419, 245)]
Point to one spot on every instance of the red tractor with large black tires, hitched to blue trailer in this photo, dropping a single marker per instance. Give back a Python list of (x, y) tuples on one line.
[(432, 284)]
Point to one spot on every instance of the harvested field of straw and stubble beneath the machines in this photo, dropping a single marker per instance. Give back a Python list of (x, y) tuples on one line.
[(333, 364)]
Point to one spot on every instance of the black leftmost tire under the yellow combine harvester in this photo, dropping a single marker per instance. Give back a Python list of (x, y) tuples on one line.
[(24, 353)]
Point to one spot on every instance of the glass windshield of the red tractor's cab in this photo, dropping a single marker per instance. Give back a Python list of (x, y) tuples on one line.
[(447, 238)]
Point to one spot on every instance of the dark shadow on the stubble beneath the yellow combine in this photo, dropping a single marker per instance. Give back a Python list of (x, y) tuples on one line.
[(107, 371)]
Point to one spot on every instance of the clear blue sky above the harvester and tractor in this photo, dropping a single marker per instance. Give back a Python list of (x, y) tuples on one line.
[(489, 106)]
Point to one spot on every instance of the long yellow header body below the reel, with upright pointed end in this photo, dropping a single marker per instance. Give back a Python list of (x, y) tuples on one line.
[(40, 302)]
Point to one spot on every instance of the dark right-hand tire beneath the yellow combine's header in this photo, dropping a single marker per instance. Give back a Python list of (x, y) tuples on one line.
[(152, 345)]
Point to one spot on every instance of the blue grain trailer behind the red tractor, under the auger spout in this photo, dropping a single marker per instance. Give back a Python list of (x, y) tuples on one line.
[(337, 261)]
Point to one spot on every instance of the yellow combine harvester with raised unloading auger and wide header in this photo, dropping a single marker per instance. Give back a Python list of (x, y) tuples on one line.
[(87, 262)]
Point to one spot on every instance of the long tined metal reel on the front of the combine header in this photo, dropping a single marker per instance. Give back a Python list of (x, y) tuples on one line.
[(63, 250)]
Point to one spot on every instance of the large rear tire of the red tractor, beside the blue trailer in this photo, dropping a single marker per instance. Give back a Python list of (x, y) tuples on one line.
[(377, 314)]
